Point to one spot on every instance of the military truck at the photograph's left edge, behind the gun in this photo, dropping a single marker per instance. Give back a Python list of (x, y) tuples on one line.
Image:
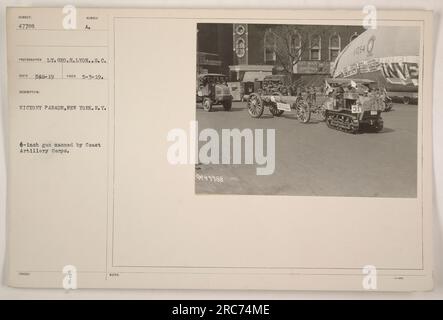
[(212, 89)]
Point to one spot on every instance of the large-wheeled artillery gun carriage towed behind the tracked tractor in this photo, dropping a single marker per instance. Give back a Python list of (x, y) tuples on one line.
[(278, 95)]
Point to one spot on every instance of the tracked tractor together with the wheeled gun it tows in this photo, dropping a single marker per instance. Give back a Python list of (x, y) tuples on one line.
[(350, 105)]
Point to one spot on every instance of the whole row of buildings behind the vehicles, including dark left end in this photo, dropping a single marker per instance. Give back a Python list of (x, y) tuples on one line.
[(255, 50)]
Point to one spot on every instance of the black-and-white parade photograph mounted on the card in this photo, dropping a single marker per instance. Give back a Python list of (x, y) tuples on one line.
[(307, 110)]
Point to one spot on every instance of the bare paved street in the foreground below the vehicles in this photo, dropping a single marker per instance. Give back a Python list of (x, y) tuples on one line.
[(314, 160)]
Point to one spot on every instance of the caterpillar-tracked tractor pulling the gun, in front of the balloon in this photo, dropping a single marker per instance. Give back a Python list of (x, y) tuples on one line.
[(353, 105)]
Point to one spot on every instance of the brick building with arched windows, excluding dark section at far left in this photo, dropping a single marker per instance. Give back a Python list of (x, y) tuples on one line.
[(296, 49)]
